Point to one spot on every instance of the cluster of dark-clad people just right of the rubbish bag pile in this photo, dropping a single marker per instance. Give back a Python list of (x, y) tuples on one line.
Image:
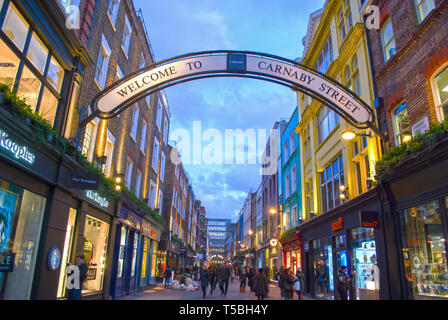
[(213, 275)]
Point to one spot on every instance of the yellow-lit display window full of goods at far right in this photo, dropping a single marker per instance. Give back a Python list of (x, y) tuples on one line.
[(424, 250)]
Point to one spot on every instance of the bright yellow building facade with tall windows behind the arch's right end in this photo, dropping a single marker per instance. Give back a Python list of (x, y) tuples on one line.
[(335, 45)]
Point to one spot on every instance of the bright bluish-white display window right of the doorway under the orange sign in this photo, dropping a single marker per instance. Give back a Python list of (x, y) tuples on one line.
[(365, 263)]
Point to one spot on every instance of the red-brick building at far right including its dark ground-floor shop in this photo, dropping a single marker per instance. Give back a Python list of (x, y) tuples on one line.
[(410, 70)]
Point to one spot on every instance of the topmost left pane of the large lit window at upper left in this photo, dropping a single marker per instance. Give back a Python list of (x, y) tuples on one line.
[(15, 27)]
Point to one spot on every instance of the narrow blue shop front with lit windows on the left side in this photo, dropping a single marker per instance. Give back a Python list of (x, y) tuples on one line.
[(127, 241)]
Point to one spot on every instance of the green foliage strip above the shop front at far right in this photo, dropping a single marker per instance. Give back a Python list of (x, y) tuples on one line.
[(416, 148)]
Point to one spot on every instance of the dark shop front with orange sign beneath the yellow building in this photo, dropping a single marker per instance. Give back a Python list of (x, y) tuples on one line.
[(348, 236)]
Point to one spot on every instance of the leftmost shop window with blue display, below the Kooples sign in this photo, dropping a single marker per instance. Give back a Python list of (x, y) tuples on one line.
[(21, 214)]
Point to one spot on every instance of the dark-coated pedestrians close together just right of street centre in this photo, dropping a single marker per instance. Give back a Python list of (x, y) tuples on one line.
[(258, 282)]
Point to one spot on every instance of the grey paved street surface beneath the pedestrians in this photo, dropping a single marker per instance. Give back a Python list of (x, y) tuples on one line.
[(160, 293)]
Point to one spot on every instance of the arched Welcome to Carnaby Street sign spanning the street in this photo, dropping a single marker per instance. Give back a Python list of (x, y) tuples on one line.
[(150, 79)]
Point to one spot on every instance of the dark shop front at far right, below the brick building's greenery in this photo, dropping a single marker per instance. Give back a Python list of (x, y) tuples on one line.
[(417, 209)]
